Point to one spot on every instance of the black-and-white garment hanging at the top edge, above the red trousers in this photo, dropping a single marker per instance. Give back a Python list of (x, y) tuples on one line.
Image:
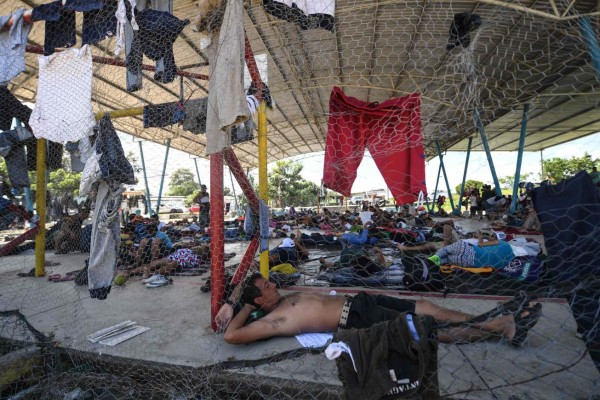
[(313, 14)]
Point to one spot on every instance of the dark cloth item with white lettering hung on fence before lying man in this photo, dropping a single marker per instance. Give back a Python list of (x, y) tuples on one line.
[(390, 360)]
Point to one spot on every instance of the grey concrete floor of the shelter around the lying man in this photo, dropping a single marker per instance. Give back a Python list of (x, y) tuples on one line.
[(552, 364)]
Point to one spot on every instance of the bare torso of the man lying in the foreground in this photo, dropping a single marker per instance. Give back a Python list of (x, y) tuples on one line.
[(305, 312)]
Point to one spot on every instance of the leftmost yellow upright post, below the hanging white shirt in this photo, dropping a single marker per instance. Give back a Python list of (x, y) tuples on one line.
[(40, 200)]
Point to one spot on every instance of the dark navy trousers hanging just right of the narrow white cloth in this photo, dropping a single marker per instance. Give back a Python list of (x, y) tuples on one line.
[(155, 37)]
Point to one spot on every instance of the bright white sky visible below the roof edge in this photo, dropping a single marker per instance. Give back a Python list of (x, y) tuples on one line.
[(368, 177)]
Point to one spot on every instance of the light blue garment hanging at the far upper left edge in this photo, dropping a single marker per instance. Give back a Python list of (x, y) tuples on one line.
[(12, 46)]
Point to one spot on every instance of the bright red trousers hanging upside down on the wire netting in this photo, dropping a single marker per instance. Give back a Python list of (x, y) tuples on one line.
[(392, 133)]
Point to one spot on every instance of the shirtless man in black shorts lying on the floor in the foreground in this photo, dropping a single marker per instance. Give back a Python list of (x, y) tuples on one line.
[(299, 313)]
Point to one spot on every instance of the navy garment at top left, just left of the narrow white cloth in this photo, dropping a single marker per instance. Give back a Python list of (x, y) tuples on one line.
[(100, 23)]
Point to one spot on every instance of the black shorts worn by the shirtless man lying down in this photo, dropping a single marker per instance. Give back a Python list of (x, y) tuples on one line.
[(367, 310)]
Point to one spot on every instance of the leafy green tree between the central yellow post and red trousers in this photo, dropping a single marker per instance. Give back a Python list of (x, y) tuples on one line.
[(287, 187)]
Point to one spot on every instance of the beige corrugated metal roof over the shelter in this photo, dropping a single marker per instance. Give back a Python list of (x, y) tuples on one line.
[(382, 49)]
